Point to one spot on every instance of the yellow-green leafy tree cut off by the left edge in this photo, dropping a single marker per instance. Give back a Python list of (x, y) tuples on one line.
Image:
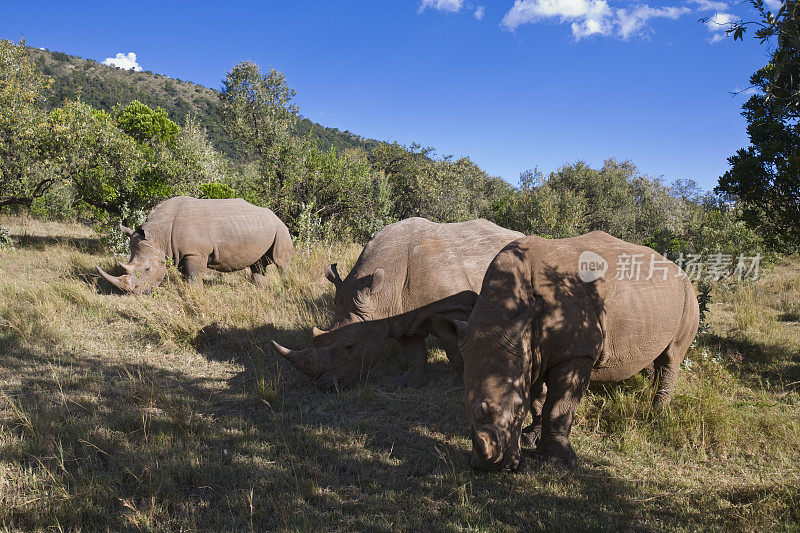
[(23, 172)]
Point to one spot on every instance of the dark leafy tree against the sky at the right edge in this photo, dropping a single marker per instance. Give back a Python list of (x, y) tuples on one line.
[(765, 176)]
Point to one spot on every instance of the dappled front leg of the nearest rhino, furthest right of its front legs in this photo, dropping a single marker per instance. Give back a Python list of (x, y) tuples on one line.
[(566, 384)]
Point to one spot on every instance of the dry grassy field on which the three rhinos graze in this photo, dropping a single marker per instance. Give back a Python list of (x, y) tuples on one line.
[(170, 412)]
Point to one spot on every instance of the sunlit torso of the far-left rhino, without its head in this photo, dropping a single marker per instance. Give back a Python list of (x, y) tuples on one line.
[(233, 233)]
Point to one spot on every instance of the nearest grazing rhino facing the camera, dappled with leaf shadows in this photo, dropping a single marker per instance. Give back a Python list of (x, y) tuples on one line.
[(553, 315)]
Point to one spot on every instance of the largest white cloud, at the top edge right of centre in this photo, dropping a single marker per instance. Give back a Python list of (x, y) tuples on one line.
[(589, 17)]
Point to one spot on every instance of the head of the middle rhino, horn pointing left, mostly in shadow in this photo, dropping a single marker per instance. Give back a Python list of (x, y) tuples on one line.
[(341, 357)]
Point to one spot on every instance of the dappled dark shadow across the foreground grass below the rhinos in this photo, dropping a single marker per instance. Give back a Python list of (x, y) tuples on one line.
[(106, 444)]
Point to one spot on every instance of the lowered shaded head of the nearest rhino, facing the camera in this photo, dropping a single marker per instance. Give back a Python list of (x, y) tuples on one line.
[(496, 393)]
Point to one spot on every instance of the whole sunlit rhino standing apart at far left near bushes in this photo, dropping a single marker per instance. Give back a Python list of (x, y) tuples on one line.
[(223, 235)]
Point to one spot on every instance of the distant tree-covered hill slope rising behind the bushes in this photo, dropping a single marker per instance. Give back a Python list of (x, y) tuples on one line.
[(103, 87)]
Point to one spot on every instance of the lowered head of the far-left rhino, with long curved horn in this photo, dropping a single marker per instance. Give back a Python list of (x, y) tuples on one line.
[(145, 270)]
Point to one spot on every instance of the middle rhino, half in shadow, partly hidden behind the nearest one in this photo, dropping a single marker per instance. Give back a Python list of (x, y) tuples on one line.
[(410, 271)]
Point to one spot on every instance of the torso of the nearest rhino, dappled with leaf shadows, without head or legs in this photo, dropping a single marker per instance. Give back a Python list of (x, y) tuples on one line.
[(629, 322)]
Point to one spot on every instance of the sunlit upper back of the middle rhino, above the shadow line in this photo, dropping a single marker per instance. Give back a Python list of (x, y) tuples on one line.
[(426, 262)]
